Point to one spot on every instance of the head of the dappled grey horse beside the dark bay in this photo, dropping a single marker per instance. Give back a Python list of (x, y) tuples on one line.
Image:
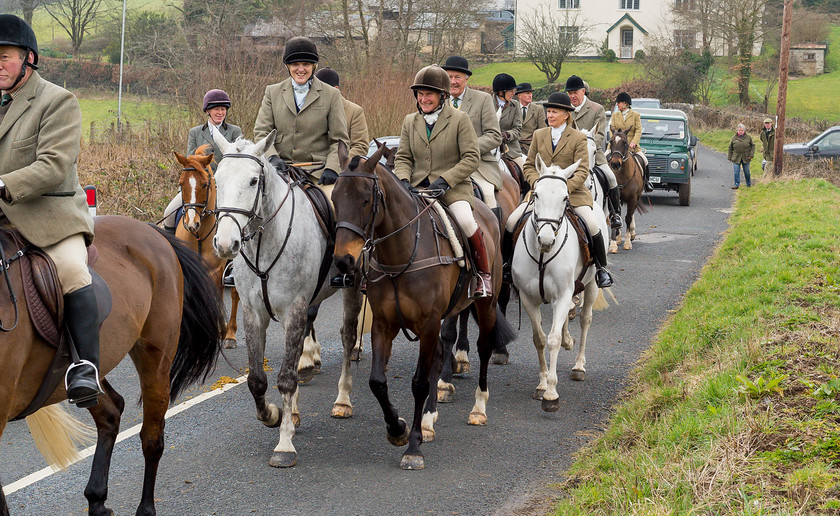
[(241, 183)]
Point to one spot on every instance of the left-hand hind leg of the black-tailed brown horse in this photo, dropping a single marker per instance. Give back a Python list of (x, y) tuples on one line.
[(107, 416)]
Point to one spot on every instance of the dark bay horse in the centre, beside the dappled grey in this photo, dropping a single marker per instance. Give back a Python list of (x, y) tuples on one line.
[(413, 281)]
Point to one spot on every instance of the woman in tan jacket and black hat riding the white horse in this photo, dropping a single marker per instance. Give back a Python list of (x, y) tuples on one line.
[(561, 144)]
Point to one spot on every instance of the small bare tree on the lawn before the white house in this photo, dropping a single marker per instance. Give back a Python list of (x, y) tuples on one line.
[(547, 40)]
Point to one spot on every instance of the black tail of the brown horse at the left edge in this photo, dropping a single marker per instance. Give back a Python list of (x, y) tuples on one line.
[(202, 321)]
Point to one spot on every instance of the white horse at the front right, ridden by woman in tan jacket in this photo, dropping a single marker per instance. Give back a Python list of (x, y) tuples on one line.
[(547, 265)]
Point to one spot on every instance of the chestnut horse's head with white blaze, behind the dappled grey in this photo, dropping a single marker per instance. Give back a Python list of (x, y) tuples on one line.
[(196, 187)]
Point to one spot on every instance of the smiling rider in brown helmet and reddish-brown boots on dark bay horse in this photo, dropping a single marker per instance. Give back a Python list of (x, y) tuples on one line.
[(439, 150)]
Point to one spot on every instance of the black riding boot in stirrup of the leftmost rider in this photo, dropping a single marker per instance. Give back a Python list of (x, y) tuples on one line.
[(82, 377)]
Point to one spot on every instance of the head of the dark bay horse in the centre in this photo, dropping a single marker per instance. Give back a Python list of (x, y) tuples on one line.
[(359, 203)]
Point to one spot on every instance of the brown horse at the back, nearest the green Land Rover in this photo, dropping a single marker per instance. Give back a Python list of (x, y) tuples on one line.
[(630, 176)]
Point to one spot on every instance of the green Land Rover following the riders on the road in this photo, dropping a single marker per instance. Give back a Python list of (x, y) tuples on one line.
[(670, 149)]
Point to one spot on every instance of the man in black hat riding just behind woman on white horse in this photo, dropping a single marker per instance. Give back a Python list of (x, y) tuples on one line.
[(589, 114)]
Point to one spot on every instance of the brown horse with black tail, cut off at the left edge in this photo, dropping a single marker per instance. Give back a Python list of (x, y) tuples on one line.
[(166, 315)]
